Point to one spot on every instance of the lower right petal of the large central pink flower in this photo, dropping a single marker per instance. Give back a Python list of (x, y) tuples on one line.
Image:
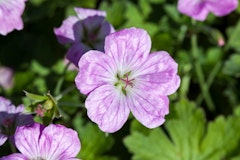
[(149, 109)]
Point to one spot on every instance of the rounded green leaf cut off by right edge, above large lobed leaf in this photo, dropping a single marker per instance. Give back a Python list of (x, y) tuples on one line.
[(232, 66)]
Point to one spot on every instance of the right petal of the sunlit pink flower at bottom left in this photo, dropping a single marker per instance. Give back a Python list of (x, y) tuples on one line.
[(58, 142)]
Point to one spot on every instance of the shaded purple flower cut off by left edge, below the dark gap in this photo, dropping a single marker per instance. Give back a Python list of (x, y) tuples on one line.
[(10, 118)]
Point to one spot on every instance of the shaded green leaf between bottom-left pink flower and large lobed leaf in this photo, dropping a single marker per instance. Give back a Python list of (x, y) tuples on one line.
[(94, 142)]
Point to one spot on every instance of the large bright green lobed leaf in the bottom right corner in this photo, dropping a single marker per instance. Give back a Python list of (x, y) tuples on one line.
[(187, 137)]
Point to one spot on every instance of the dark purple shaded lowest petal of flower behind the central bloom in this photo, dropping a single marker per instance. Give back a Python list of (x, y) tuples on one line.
[(76, 51)]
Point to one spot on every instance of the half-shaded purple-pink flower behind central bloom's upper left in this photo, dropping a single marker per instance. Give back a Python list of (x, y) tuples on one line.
[(84, 32)]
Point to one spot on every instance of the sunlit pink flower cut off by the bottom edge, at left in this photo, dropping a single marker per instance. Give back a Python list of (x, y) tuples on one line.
[(54, 142)]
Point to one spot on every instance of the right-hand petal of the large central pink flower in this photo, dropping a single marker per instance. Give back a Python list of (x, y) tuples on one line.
[(158, 74)]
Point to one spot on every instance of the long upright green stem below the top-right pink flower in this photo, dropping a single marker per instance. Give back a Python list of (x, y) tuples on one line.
[(199, 72)]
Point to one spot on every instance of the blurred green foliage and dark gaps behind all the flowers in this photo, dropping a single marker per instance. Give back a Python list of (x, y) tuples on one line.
[(203, 123)]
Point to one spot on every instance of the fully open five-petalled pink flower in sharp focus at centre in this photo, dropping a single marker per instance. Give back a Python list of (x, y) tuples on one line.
[(127, 78)]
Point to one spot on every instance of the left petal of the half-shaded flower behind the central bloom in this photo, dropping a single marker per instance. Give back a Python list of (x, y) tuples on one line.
[(65, 33)]
